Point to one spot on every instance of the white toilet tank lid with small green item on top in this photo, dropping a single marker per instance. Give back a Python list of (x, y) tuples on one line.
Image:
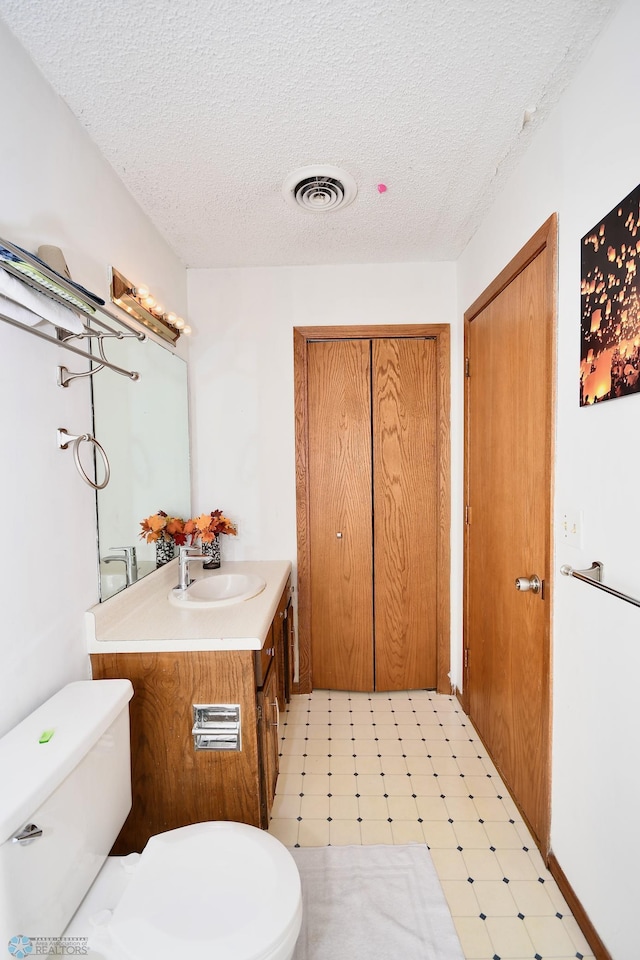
[(41, 751)]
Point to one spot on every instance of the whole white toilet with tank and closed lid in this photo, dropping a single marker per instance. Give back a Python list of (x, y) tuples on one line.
[(220, 890)]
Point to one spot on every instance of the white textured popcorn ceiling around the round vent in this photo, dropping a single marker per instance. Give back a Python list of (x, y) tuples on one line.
[(203, 107)]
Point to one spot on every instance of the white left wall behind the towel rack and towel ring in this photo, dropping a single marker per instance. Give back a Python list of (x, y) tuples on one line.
[(55, 188)]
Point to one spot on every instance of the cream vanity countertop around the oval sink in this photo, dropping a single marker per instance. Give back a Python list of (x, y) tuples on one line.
[(140, 619)]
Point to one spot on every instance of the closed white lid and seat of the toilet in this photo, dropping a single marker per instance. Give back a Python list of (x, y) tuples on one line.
[(218, 890)]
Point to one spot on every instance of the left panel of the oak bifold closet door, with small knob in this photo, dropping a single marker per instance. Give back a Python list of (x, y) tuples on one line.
[(340, 541)]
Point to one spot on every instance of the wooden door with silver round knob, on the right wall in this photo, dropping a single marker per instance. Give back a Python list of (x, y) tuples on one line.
[(509, 342)]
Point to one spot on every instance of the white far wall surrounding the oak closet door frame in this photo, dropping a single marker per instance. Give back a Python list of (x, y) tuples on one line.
[(241, 373)]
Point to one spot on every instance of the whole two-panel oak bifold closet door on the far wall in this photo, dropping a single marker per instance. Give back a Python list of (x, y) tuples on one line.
[(372, 434)]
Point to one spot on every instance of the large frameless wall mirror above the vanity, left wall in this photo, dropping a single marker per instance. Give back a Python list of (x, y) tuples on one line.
[(144, 427)]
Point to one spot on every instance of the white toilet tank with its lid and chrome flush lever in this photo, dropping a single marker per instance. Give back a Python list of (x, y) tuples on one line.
[(66, 769)]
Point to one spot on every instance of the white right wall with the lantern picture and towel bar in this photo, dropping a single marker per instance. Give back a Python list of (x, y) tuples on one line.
[(582, 162)]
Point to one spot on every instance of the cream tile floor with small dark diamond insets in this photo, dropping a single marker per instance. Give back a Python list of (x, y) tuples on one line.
[(410, 768)]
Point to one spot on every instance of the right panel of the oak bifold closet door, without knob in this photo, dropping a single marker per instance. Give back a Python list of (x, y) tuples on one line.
[(405, 512)]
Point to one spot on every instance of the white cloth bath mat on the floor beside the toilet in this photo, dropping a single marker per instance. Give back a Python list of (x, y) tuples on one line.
[(373, 903)]
